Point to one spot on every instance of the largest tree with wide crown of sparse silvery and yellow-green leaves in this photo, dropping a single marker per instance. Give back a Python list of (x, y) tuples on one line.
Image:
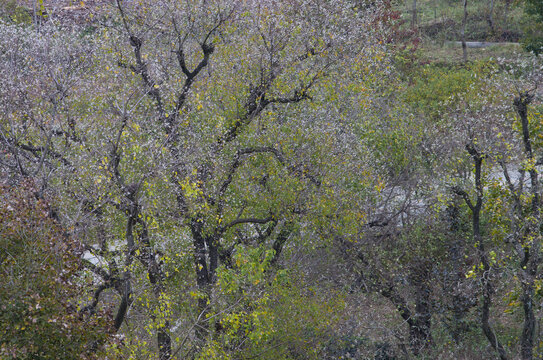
[(184, 143)]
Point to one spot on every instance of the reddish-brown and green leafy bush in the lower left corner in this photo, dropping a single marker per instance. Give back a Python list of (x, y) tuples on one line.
[(40, 285)]
